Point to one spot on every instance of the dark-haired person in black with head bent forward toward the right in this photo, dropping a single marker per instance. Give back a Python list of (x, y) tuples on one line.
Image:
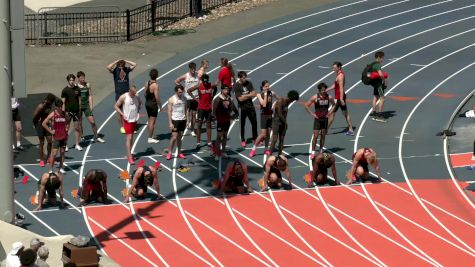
[(279, 123)]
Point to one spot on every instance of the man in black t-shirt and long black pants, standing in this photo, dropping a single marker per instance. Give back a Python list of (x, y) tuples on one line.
[(244, 91)]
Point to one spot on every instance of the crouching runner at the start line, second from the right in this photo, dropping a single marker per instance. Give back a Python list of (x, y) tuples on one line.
[(319, 173)]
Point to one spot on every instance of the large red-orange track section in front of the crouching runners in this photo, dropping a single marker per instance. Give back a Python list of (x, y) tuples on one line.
[(322, 240)]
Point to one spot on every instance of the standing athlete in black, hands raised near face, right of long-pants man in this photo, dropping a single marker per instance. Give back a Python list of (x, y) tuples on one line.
[(266, 98)]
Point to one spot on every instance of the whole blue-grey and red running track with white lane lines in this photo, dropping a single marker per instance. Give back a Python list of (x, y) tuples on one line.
[(418, 216)]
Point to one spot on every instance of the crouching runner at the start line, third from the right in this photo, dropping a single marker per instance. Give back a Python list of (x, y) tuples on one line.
[(272, 172)]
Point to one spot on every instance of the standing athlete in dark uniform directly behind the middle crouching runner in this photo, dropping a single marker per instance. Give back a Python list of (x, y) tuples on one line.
[(222, 108)]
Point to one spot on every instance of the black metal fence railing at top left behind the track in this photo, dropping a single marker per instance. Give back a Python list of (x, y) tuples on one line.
[(109, 23)]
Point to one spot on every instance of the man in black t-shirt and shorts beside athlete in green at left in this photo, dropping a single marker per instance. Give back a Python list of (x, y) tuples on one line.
[(71, 103)]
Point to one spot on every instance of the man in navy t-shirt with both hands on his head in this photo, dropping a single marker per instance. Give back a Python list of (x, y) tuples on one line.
[(120, 72)]
